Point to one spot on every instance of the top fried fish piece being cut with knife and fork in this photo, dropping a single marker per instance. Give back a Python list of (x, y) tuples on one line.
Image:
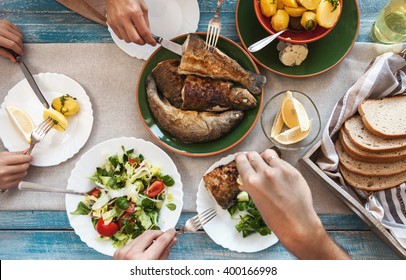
[(217, 65)]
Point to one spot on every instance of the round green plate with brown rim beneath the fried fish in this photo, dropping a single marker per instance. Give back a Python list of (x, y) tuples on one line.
[(211, 147)]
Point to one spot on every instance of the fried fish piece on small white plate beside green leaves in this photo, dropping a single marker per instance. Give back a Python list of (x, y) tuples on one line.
[(222, 183)]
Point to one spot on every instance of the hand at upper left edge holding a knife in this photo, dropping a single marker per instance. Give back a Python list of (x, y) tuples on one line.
[(10, 38)]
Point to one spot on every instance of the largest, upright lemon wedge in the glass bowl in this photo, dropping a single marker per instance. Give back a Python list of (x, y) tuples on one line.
[(294, 114)]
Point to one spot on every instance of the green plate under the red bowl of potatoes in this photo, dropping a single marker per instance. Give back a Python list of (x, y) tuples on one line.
[(323, 55)]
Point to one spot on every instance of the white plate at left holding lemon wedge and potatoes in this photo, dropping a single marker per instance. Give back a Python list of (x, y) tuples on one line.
[(56, 147)]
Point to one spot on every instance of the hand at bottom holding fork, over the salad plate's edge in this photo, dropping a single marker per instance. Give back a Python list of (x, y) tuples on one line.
[(151, 245)]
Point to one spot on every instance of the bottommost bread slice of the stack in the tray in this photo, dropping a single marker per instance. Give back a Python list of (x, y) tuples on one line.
[(372, 183)]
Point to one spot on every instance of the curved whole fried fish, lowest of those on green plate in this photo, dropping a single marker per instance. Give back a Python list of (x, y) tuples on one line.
[(189, 126)]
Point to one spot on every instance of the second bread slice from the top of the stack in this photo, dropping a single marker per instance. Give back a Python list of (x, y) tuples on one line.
[(365, 140)]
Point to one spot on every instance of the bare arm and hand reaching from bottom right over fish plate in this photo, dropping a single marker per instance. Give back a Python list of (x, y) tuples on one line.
[(284, 199)]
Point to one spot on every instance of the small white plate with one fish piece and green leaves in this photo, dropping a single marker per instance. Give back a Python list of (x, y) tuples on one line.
[(222, 228)]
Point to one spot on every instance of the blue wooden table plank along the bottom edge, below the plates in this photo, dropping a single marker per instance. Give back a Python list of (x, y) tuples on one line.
[(51, 245)]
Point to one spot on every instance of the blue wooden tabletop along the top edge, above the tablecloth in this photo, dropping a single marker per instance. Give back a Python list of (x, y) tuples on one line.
[(47, 21)]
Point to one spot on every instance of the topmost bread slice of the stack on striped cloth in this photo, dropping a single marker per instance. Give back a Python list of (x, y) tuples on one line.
[(385, 117)]
